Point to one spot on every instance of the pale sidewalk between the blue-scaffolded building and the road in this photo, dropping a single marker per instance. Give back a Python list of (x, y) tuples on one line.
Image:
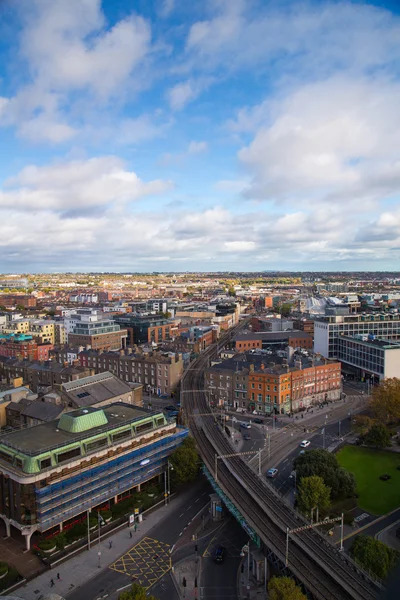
[(85, 565)]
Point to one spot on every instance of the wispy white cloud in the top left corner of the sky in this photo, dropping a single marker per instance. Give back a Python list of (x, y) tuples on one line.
[(71, 53)]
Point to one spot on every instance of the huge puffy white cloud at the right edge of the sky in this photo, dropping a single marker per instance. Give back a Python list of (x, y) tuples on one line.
[(334, 140)]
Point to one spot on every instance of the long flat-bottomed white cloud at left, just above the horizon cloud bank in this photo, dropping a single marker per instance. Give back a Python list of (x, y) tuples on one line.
[(77, 186)]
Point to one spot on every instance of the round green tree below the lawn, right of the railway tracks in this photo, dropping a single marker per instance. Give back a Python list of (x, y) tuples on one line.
[(374, 555)]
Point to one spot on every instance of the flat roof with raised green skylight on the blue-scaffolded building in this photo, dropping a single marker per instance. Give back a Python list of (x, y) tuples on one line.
[(40, 438)]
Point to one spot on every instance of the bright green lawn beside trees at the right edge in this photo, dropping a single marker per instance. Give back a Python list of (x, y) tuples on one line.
[(374, 496)]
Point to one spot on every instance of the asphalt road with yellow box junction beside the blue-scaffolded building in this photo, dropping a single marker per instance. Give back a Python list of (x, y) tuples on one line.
[(164, 535)]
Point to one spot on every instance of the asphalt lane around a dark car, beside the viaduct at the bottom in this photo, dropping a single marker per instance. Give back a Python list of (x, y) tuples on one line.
[(220, 580)]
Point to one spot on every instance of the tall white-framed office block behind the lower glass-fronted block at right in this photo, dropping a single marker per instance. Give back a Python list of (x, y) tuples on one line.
[(328, 329)]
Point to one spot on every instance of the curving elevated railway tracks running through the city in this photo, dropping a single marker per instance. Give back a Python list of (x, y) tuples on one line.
[(327, 573)]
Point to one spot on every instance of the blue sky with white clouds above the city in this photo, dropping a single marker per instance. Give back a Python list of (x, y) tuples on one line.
[(166, 135)]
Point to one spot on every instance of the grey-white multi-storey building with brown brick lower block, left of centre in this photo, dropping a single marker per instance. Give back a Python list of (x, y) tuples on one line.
[(91, 327)]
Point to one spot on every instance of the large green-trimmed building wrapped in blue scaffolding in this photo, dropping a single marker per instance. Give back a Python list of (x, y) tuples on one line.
[(58, 470)]
